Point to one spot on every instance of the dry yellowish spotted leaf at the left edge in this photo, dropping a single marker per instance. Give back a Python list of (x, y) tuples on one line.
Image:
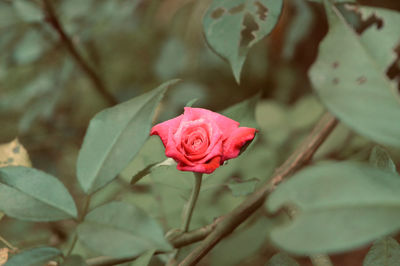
[(13, 154)]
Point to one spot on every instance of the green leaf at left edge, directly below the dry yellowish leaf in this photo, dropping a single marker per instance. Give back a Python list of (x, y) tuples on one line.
[(30, 194)]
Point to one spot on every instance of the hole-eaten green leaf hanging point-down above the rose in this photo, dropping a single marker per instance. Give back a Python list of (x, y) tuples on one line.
[(232, 27)]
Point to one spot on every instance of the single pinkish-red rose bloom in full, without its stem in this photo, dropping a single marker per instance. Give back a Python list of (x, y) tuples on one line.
[(201, 140)]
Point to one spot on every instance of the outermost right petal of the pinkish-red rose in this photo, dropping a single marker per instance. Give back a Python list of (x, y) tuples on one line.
[(236, 140)]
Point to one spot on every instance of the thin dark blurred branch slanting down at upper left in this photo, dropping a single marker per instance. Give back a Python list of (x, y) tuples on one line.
[(90, 72)]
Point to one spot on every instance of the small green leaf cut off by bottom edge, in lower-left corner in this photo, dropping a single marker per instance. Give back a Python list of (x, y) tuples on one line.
[(34, 257)]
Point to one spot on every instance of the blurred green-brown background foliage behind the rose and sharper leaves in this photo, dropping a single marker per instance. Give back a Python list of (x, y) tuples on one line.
[(47, 100)]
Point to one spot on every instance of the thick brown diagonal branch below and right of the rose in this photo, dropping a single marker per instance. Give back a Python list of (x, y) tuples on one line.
[(298, 159)]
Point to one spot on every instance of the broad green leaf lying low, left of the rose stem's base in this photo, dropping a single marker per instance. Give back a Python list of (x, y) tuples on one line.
[(130, 230)]
